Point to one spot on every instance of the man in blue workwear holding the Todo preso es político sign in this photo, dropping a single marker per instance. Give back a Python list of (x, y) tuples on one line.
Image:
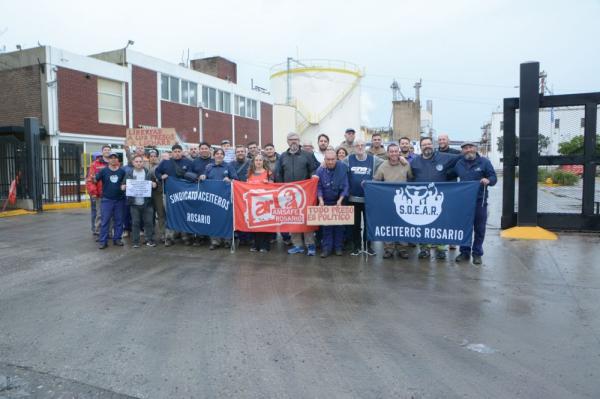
[(332, 189)]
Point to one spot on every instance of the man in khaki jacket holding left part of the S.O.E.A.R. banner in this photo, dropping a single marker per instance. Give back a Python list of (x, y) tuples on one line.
[(395, 169)]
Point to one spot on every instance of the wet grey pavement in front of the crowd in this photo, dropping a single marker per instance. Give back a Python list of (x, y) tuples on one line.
[(185, 322)]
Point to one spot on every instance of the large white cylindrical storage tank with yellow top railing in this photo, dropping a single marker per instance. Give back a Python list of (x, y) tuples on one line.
[(313, 97)]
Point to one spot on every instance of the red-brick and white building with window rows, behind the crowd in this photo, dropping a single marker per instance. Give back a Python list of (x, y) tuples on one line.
[(92, 100)]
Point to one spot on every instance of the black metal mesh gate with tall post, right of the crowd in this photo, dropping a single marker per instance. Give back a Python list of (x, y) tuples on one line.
[(575, 207)]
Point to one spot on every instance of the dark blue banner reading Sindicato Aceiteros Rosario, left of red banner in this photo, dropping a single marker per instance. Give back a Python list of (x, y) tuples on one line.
[(199, 208)]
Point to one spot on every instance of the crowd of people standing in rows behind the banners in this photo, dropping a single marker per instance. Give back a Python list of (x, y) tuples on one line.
[(341, 172)]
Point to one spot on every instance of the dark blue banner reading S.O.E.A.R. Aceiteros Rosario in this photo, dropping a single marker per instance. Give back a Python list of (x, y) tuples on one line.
[(427, 213)]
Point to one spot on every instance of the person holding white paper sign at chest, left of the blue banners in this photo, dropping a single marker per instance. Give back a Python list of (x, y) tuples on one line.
[(140, 206)]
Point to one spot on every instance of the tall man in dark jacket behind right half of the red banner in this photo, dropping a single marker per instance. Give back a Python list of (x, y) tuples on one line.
[(295, 165)]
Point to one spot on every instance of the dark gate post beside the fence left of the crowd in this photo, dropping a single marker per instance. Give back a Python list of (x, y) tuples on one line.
[(34, 163)]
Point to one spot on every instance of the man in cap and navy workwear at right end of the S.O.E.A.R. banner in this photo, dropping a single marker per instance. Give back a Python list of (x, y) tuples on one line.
[(473, 167)]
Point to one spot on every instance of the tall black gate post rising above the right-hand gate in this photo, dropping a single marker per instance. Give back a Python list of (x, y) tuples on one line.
[(529, 103)]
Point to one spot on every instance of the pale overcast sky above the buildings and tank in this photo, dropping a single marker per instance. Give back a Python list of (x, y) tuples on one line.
[(467, 52)]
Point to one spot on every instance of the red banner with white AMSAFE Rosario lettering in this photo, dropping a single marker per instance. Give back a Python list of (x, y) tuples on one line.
[(273, 207)]
